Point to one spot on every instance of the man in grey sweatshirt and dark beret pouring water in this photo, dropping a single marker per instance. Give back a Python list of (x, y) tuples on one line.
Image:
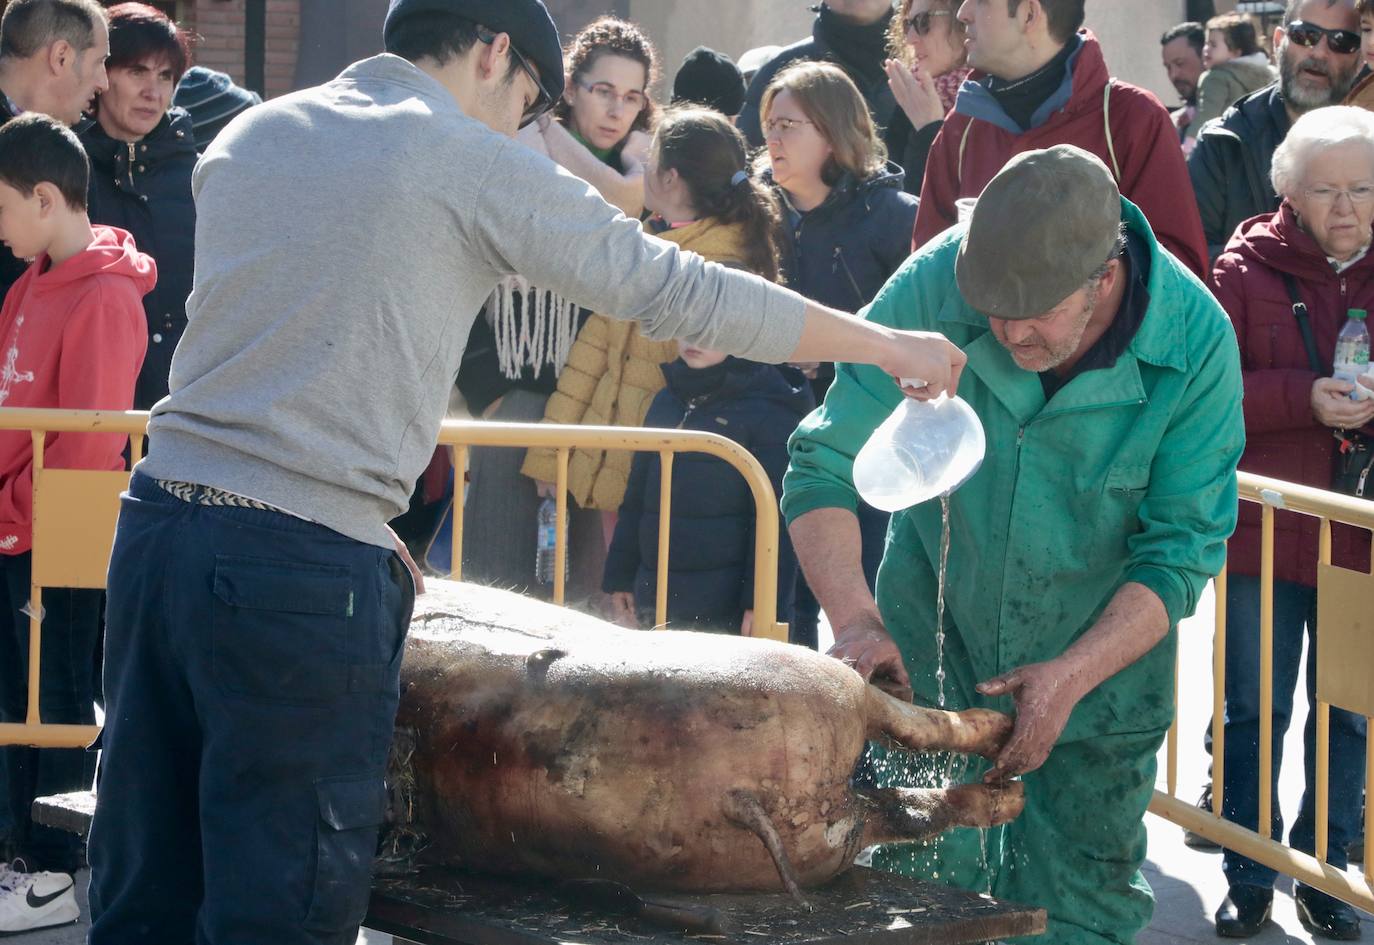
[(258, 601)]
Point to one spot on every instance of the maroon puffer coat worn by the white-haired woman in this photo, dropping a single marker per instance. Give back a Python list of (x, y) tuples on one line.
[(1284, 440)]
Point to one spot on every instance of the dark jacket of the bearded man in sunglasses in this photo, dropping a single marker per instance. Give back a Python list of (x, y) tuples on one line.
[(1230, 166)]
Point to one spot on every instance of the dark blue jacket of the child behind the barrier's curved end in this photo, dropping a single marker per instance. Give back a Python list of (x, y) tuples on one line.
[(711, 578)]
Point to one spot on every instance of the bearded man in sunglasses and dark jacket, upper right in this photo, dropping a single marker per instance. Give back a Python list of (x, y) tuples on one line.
[(1318, 52)]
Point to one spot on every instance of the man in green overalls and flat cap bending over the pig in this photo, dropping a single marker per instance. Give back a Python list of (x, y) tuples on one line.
[(1110, 385)]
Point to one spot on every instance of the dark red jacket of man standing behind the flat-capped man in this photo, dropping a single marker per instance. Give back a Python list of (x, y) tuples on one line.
[(1153, 174)]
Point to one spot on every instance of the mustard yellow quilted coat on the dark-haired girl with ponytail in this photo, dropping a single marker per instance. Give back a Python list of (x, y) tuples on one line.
[(612, 376)]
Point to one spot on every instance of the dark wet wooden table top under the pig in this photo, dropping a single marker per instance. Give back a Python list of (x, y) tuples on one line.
[(864, 907)]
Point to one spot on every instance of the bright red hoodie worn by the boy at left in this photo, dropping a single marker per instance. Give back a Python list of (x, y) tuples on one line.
[(72, 337)]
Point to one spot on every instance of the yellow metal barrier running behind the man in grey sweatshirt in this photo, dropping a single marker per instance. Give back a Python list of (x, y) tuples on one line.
[(458, 435)]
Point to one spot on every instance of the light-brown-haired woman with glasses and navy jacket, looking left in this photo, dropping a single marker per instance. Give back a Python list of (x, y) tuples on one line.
[(847, 223)]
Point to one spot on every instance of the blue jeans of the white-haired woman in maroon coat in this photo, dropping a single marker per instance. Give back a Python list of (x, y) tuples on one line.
[(1295, 611)]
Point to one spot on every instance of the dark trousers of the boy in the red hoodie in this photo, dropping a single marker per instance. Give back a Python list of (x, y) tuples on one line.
[(67, 696)]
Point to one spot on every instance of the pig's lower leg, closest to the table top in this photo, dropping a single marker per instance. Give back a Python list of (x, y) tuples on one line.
[(899, 814)]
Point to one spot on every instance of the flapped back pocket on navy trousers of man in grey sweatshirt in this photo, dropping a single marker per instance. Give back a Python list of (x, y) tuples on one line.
[(280, 630)]
